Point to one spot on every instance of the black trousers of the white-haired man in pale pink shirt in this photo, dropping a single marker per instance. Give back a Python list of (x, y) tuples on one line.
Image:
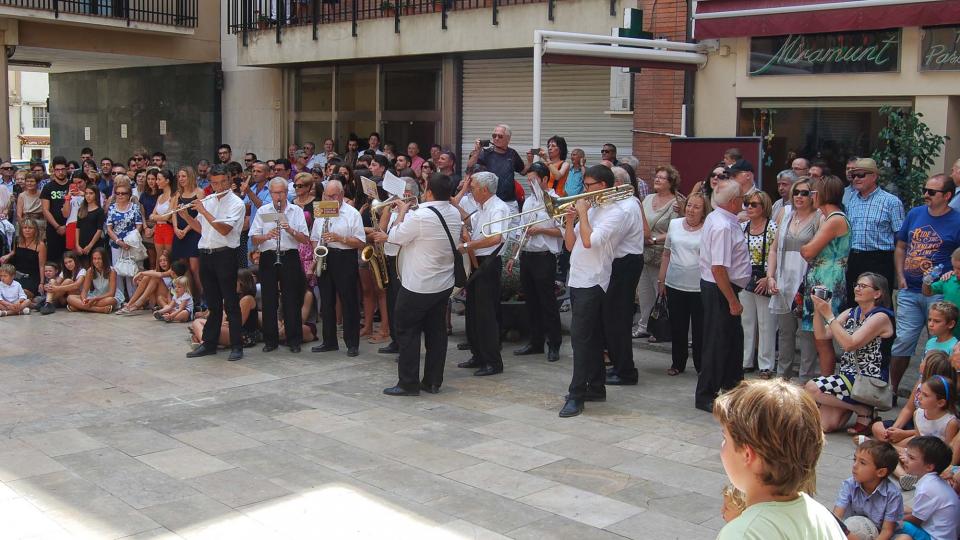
[(722, 364)]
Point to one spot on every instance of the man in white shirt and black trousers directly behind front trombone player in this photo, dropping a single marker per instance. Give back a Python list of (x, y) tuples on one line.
[(618, 305)]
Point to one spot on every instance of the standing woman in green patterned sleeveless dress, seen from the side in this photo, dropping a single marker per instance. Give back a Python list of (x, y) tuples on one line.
[(827, 255)]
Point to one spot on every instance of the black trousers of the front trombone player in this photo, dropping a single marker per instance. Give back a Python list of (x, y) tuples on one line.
[(586, 338)]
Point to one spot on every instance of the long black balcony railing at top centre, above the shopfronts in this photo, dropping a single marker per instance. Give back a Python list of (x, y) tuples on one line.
[(245, 16)]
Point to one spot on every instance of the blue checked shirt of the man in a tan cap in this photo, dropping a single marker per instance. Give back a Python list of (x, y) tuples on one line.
[(874, 220)]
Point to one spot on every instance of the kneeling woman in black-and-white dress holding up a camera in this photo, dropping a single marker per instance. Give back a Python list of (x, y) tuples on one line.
[(864, 333)]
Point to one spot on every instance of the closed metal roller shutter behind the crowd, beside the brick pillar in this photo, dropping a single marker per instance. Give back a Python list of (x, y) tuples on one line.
[(574, 101)]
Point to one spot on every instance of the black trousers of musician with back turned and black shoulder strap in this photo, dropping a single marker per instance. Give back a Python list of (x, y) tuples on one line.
[(421, 313)]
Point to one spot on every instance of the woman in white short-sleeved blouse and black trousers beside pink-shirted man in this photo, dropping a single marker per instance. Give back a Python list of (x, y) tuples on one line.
[(679, 279)]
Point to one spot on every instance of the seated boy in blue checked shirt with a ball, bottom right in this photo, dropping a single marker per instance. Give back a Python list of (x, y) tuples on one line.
[(870, 492)]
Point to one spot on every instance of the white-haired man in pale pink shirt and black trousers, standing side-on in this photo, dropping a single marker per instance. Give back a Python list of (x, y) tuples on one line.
[(724, 271)]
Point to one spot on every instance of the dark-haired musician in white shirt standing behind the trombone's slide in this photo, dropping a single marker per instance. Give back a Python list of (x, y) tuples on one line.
[(540, 245)]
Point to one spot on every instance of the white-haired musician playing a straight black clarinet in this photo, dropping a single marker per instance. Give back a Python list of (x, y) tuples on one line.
[(283, 267)]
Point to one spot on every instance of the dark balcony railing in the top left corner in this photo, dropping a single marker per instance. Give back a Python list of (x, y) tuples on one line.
[(165, 12)]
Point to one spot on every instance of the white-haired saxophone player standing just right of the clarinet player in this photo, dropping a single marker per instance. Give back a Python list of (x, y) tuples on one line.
[(343, 238)]
